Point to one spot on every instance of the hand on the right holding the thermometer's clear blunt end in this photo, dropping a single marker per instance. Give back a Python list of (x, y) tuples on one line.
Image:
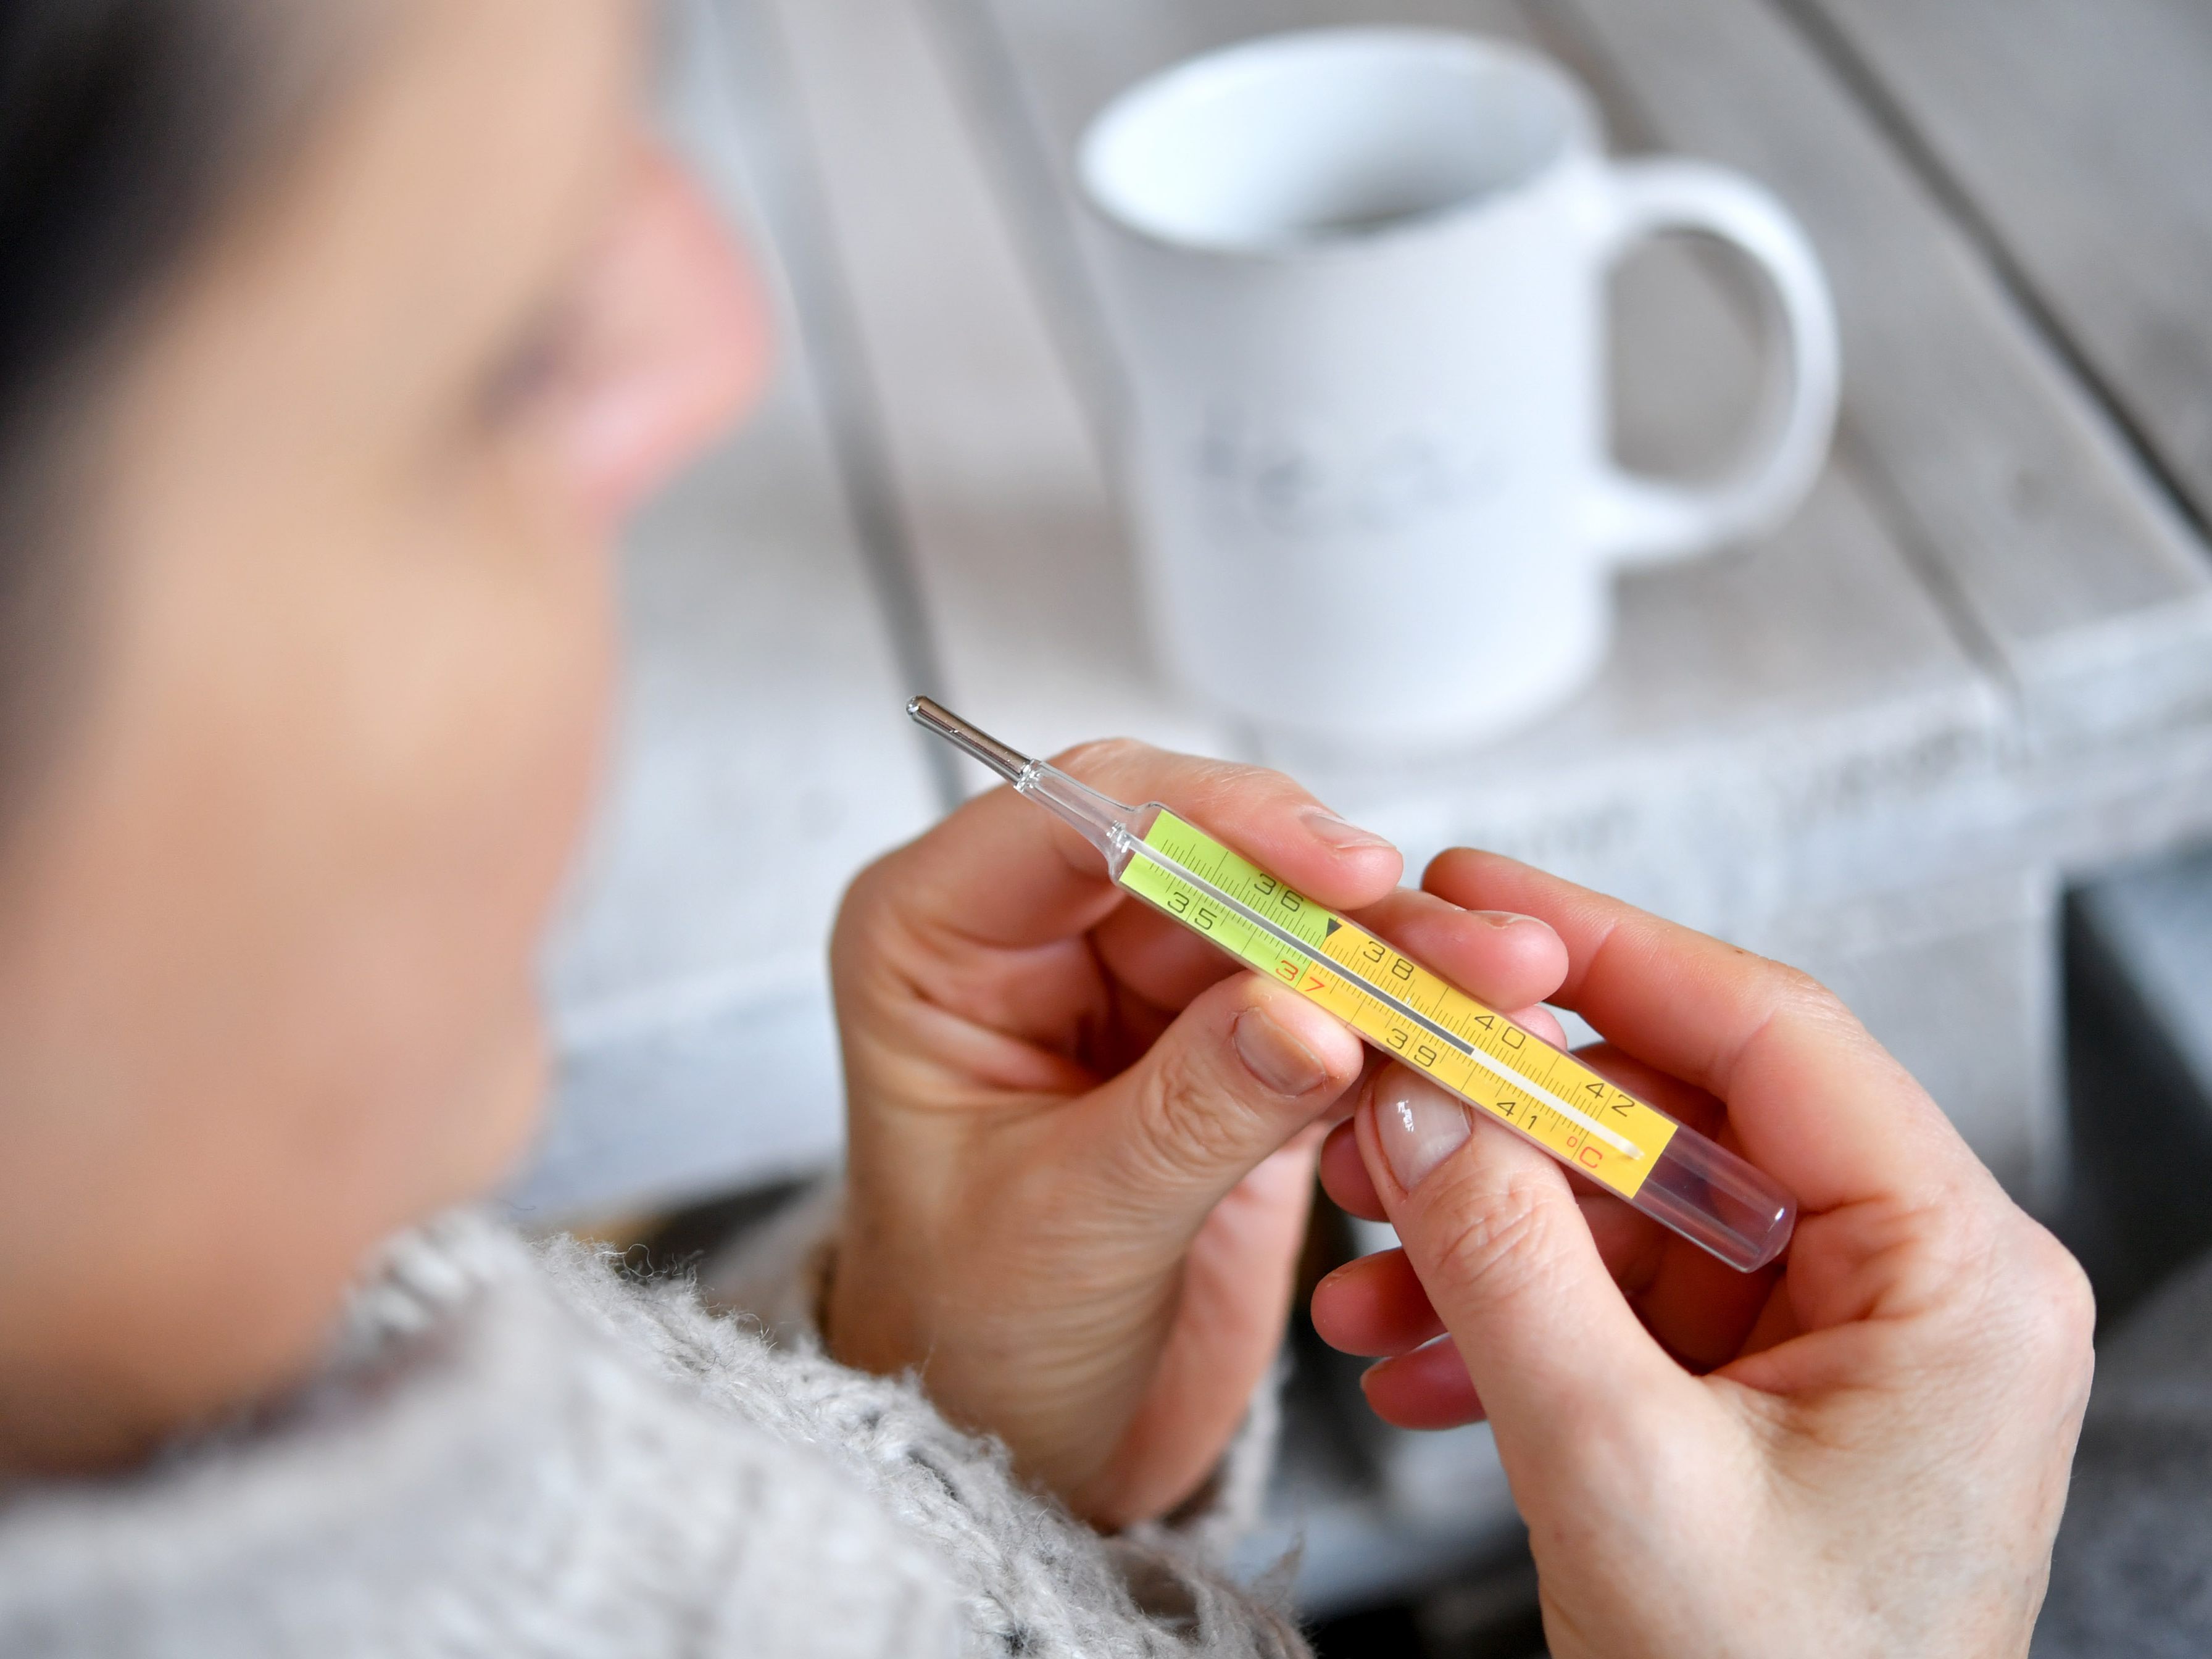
[(1861, 1452)]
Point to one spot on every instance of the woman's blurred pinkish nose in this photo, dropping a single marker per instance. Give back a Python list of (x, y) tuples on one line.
[(680, 337)]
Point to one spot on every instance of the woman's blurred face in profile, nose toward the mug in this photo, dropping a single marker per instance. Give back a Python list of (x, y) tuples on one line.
[(269, 921)]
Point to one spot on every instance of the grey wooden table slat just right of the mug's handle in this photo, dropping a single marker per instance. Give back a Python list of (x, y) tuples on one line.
[(2025, 505)]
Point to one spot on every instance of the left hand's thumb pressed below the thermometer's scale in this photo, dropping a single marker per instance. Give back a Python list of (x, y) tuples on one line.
[(1240, 1074)]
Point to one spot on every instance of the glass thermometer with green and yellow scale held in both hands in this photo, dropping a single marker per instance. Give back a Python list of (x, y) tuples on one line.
[(1512, 1076)]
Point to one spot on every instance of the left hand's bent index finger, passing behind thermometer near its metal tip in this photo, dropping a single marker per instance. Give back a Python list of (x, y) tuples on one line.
[(1008, 873)]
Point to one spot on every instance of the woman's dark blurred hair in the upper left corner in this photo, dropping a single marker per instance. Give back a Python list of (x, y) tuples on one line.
[(123, 129)]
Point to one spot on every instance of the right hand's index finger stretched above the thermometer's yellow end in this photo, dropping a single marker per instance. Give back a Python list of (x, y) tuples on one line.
[(1815, 1100)]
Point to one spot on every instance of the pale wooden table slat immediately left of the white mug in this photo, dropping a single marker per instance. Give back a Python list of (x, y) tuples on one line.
[(994, 466)]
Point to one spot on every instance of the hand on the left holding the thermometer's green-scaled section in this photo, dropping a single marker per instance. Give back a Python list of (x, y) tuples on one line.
[(1083, 1140)]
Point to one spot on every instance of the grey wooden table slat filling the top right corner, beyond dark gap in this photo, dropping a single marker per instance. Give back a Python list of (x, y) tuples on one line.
[(2080, 134)]
